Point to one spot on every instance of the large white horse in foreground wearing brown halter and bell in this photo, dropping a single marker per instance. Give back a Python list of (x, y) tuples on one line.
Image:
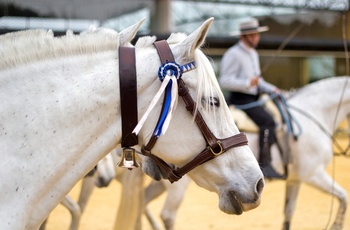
[(60, 114)]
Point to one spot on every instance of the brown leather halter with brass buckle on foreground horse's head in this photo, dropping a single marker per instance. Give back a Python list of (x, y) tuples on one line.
[(215, 146)]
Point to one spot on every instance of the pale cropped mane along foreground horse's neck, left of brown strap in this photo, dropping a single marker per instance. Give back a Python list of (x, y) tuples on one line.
[(41, 44)]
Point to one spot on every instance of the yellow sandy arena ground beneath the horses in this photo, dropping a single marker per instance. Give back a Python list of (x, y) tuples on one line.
[(199, 209)]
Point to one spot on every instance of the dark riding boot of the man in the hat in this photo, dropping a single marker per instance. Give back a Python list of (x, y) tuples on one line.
[(265, 156)]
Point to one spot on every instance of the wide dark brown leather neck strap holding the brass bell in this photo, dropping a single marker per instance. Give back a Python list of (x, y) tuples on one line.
[(128, 95)]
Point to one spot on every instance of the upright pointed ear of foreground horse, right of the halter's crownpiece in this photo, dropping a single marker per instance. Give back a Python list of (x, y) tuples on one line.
[(195, 39)]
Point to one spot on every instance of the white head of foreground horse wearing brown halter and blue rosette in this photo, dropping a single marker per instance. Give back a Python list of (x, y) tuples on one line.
[(234, 175)]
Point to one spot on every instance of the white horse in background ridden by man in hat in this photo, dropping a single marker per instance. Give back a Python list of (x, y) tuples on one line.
[(315, 106)]
